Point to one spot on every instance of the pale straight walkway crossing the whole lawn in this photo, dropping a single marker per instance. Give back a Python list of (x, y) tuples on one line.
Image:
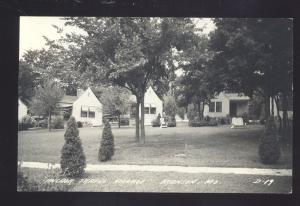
[(162, 168)]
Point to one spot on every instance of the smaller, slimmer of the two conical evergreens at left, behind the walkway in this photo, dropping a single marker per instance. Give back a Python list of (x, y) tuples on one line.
[(107, 149)]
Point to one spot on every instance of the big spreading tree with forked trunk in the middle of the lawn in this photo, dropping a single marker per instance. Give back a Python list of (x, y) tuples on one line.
[(131, 52)]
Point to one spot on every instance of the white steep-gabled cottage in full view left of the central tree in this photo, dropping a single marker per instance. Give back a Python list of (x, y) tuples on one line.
[(88, 109)]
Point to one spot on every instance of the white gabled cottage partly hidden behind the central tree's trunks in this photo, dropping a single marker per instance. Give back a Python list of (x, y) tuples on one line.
[(153, 106)]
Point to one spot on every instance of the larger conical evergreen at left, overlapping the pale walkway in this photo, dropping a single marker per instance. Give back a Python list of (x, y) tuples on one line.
[(72, 156)]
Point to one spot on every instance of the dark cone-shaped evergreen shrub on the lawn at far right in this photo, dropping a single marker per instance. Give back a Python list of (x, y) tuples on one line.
[(269, 148)]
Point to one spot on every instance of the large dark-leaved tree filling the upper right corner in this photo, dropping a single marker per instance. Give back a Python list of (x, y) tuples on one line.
[(254, 55)]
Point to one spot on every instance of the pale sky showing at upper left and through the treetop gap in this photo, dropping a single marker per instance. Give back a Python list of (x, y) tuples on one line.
[(32, 30)]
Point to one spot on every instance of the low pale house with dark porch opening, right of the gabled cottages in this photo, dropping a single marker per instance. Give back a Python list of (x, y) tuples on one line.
[(227, 104)]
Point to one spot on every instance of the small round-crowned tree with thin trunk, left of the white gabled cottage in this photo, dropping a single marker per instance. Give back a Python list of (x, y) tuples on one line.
[(46, 100)]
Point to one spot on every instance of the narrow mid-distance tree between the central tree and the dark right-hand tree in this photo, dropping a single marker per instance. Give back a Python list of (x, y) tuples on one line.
[(193, 85)]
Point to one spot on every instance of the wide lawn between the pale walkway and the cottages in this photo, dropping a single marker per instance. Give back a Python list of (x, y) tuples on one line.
[(202, 146)]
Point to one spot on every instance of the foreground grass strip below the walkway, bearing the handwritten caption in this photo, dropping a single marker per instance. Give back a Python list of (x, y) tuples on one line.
[(120, 181)]
